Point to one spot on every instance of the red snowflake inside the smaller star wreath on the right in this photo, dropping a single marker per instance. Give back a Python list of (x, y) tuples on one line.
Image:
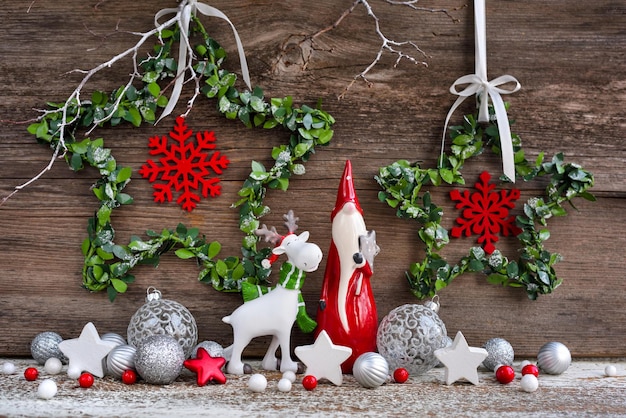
[(485, 213)]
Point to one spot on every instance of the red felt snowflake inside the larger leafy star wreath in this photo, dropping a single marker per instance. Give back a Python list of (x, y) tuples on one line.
[(185, 166)]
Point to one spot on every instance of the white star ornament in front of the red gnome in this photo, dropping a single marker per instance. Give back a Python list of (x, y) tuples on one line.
[(323, 359)]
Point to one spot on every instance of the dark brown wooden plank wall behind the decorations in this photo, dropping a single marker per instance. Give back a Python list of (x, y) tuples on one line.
[(569, 57)]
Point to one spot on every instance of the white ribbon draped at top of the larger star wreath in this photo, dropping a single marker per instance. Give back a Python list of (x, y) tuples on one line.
[(185, 52)]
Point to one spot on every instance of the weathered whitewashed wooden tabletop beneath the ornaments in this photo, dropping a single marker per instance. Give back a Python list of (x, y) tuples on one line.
[(582, 391)]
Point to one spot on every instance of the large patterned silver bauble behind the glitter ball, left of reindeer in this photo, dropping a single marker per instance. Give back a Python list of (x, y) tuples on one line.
[(163, 317)]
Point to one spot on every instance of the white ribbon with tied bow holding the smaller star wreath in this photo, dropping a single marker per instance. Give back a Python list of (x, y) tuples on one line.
[(478, 84)]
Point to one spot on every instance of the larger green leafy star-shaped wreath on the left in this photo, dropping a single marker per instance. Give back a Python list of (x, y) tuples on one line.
[(108, 265)]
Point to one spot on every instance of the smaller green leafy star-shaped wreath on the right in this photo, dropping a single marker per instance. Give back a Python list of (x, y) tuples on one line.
[(402, 184)]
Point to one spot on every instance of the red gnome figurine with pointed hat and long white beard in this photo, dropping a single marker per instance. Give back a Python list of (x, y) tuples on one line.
[(347, 310)]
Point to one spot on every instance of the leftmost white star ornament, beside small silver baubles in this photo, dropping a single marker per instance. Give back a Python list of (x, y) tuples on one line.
[(86, 352)]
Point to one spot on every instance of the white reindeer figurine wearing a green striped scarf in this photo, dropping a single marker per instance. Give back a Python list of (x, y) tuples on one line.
[(273, 311)]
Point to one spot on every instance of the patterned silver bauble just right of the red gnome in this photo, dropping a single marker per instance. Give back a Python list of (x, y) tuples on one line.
[(408, 337)]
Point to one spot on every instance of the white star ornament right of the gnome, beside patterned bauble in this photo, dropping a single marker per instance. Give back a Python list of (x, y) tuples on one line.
[(461, 361)]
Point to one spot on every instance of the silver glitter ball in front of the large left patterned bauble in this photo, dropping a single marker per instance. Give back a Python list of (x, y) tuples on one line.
[(159, 359)]
